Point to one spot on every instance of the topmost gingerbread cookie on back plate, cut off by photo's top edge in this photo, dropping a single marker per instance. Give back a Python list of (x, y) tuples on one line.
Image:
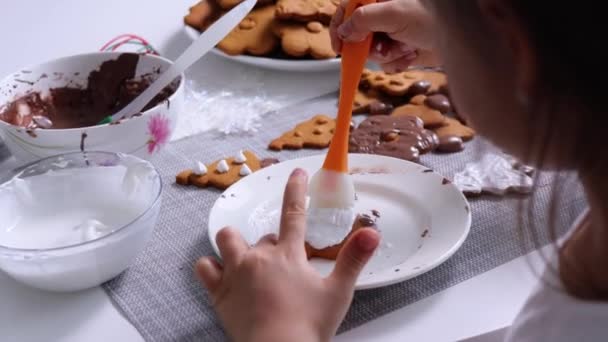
[(307, 10)]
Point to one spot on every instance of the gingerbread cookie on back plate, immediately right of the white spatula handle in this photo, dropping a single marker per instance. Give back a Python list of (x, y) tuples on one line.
[(253, 35)]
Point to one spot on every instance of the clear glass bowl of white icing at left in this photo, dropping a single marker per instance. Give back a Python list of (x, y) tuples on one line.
[(76, 220)]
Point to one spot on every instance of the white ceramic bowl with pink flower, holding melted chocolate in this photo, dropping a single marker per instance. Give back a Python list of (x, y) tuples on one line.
[(142, 136)]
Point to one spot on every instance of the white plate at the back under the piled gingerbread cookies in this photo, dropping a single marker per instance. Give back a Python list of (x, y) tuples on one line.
[(274, 63)]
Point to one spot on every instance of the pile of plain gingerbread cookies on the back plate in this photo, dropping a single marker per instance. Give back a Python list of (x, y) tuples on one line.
[(285, 29)]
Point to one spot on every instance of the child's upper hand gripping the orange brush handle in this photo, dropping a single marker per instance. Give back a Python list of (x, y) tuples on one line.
[(403, 33)]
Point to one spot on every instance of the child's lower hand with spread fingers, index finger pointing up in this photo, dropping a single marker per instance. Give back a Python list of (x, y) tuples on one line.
[(270, 292)]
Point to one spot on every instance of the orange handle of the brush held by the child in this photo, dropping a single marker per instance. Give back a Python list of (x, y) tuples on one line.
[(354, 56)]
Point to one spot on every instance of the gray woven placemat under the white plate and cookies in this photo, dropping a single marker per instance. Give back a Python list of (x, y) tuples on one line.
[(160, 296)]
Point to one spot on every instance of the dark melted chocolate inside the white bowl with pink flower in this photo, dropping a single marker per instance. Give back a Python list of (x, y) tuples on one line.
[(109, 88)]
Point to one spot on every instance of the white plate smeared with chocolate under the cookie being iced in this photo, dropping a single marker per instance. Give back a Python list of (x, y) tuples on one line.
[(423, 219)]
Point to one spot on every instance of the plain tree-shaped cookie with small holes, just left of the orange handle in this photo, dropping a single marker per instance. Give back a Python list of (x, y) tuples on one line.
[(314, 133)]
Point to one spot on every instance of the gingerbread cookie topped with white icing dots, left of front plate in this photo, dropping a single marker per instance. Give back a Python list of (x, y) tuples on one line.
[(222, 173)]
